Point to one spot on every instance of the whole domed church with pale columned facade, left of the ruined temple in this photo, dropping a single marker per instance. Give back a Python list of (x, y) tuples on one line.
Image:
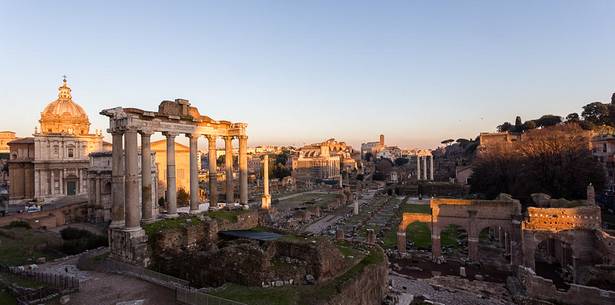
[(54, 162)]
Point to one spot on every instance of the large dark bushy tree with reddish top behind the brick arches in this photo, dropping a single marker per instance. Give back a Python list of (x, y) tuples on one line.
[(555, 161)]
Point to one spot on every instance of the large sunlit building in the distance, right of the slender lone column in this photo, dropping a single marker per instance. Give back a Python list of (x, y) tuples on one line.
[(322, 161)]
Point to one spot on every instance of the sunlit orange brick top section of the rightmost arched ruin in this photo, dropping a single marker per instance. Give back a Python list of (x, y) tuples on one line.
[(558, 219)]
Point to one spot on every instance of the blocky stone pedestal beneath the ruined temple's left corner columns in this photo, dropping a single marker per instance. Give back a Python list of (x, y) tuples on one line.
[(129, 246)]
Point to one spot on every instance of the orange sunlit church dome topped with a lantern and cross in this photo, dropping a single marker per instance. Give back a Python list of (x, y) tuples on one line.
[(63, 115)]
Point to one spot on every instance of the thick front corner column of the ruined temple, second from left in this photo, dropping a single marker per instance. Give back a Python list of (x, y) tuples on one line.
[(131, 181)]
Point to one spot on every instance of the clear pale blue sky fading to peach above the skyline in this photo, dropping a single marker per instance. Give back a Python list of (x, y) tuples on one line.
[(302, 71)]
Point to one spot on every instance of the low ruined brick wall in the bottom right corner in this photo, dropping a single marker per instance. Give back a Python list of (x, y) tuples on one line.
[(541, 288)]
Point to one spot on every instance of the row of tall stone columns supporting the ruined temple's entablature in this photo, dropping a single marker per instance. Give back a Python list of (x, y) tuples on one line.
[(125, 176)]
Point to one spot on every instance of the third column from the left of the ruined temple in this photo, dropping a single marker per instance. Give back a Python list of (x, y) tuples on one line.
[(146, 177)]
